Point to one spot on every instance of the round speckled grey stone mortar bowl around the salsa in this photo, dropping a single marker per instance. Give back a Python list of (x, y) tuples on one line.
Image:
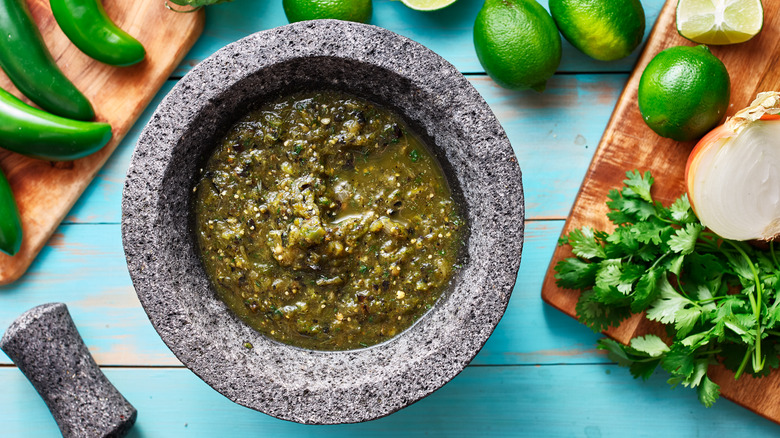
[(290, 383)]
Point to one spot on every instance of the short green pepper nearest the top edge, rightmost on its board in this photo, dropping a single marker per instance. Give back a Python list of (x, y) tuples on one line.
[(86, 24)]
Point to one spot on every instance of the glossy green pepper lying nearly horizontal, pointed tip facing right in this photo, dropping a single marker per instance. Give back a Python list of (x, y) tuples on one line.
[(38, 134)]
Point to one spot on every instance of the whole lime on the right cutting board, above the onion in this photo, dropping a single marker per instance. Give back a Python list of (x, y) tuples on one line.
[(684, 92)]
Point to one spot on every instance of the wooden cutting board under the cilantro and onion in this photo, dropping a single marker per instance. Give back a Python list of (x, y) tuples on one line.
[(629, 144)]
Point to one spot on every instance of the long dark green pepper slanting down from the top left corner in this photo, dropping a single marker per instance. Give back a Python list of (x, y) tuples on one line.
[(30, 66)]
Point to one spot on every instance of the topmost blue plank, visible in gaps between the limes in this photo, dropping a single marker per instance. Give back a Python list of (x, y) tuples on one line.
[(448, 32)]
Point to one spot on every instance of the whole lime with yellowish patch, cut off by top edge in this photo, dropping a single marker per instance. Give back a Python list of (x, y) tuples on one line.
[(602, 29)]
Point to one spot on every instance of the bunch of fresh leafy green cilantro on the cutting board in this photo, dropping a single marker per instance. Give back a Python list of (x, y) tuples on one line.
[(717, 298)]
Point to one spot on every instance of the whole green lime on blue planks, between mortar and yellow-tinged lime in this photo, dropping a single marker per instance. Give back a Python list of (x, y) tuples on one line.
[(517, 43)]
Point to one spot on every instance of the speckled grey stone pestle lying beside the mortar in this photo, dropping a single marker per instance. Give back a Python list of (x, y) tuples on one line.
[(44, 343)]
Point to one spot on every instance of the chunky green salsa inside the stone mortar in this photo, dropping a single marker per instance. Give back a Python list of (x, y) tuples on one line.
[(324, 223)]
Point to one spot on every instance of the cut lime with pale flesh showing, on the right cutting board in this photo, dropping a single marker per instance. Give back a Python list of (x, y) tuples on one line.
[(719, 22)]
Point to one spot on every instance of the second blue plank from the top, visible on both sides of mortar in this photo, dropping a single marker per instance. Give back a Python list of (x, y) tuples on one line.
[(554, 135)]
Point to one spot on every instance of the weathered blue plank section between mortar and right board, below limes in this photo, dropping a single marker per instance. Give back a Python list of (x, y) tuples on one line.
[(554, 134)]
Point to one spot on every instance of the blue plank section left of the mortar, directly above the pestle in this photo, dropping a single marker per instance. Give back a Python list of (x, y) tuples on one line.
[(84, 267)]
